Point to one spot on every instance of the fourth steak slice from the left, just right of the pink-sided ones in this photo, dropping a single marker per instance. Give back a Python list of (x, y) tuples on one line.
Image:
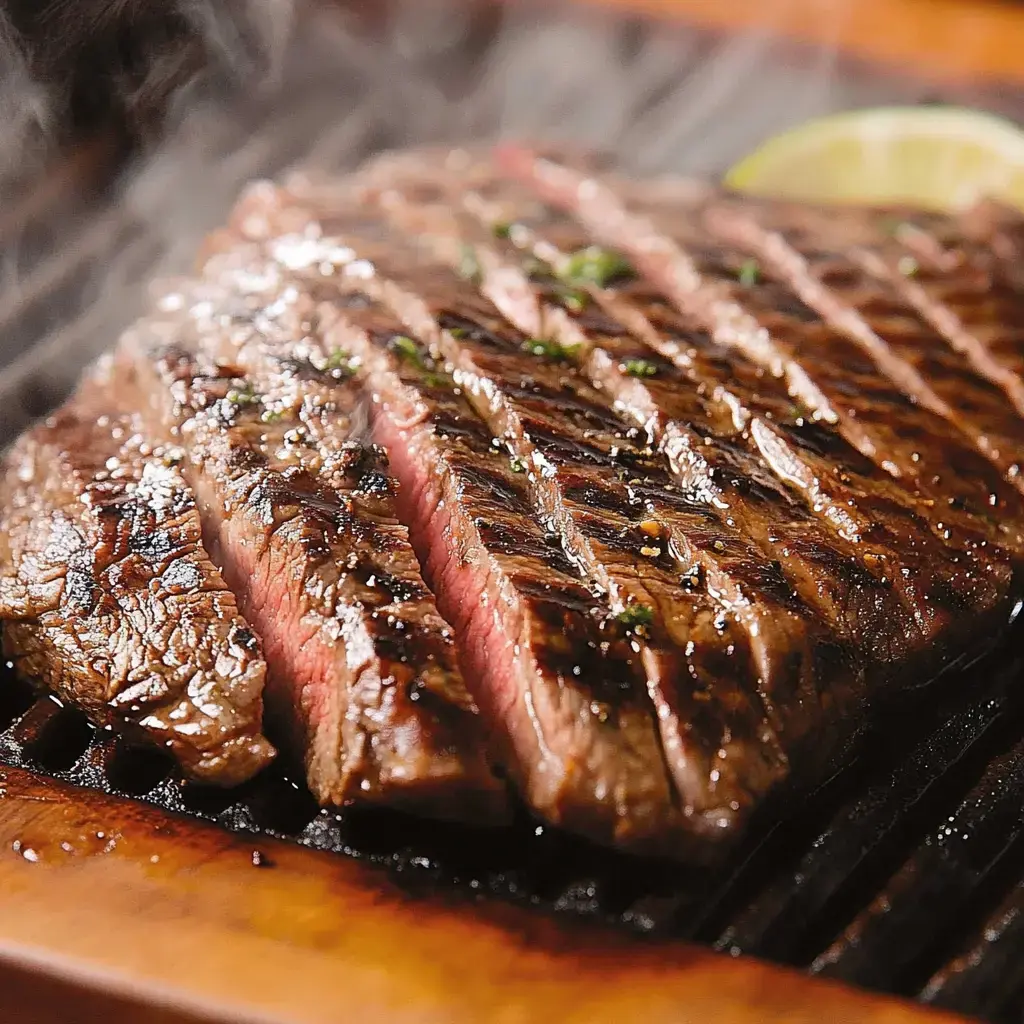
[(718, 745)]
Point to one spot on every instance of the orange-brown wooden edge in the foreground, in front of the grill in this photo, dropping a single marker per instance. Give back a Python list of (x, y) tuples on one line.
[(140, 907)]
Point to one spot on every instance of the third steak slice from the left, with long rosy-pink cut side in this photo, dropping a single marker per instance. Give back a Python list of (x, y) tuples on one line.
[(554, 671)]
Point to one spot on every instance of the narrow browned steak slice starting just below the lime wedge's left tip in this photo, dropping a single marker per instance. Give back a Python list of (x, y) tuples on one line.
[(904, 361)]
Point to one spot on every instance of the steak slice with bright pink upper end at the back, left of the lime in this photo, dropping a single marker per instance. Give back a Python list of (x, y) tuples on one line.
[(834, 376)]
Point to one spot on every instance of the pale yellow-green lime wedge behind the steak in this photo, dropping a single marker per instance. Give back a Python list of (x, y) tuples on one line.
[(942, 158)]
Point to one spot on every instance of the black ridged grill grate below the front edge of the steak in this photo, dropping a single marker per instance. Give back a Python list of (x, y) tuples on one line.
[(914, 886)]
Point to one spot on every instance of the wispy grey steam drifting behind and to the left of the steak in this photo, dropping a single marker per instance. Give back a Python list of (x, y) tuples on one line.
[(251, 89)]
